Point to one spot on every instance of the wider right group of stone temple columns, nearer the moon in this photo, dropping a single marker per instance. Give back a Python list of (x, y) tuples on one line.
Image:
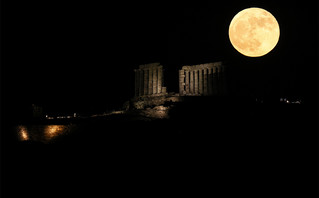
[(202, 80)]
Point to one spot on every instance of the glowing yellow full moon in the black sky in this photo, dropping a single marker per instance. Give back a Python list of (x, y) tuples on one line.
[(254, 32)]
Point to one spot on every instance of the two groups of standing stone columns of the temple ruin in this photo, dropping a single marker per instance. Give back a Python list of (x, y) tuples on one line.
[(194, 80)]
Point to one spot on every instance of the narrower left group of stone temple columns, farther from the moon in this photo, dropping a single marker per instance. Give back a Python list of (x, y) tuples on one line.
[(149, 79)]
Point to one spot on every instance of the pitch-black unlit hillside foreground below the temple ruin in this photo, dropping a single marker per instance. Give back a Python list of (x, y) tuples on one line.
[(208, 143)]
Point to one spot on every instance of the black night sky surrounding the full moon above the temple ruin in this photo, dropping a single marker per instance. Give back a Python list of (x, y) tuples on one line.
[(82, 54)]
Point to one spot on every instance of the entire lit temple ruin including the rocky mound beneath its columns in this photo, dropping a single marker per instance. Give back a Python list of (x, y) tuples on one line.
[(151, 97)]
